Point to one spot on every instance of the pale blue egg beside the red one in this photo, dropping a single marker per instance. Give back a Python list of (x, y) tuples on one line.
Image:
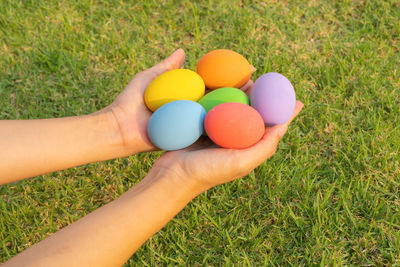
[(176, 125)]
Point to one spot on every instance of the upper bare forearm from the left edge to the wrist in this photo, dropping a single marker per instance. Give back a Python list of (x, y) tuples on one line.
[(32, 147)]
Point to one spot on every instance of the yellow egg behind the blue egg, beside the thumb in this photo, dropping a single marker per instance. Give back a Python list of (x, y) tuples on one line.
[(178, 84)]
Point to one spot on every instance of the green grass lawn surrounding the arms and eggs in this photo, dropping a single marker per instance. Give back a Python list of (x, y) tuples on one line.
[(330, 195)]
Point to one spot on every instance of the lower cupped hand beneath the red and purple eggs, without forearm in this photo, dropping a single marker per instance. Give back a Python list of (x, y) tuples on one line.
[(207, 165)]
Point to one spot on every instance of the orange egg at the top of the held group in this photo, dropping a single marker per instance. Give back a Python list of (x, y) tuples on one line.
[(224, 68)]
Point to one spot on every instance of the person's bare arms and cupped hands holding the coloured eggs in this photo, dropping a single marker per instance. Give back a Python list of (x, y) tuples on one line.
[(112, 233)]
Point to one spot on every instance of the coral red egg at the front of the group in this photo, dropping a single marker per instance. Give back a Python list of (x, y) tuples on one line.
[(234, 125)]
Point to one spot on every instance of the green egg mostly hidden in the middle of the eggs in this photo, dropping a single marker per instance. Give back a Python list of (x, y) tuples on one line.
[(223, 95)]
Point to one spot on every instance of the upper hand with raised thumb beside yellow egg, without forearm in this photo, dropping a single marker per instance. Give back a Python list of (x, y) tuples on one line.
[(129, 110)]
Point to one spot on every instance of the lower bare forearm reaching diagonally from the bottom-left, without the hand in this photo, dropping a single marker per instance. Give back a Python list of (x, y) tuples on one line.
[(111, 234)]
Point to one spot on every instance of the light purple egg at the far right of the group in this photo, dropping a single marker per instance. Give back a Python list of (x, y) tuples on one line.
[(274, 98)]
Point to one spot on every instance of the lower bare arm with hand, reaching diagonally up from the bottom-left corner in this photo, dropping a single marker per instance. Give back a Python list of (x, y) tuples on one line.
[(111, 234)]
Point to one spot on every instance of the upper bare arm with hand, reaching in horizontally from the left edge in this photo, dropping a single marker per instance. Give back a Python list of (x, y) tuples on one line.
[(33, 147)]
